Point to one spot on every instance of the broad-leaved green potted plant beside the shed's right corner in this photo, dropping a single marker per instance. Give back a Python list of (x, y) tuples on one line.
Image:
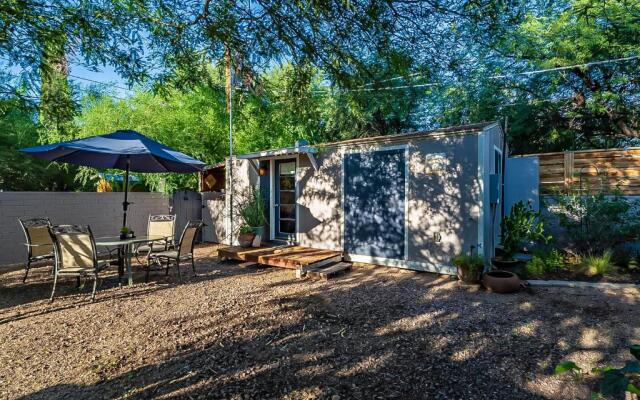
[(521, 225)]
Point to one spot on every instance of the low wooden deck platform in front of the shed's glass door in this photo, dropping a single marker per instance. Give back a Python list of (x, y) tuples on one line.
[(294, 257)]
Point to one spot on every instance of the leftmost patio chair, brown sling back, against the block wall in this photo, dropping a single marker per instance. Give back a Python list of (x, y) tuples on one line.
[(39, 244)]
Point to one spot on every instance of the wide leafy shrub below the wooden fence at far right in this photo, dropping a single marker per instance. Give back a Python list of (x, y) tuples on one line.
[(598, 222)]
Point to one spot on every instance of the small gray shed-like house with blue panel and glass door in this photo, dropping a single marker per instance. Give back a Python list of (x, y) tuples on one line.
[(410, 200)]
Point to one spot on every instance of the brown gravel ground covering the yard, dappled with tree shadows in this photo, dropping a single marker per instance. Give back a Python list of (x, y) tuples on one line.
[(244, 333)]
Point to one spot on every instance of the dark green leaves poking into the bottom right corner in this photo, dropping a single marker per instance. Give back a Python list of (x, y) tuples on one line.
[(613, 381)]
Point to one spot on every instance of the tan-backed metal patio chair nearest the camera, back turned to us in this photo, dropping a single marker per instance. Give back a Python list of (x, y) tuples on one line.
[(75, 254)]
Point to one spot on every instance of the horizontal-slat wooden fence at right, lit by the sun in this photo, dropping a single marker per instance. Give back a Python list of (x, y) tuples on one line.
[(590, 171)]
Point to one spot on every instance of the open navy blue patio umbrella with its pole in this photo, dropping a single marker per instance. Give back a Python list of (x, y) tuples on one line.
[(125, 149)]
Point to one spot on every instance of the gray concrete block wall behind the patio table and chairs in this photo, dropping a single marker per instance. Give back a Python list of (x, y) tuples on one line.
[(101, 211)]
